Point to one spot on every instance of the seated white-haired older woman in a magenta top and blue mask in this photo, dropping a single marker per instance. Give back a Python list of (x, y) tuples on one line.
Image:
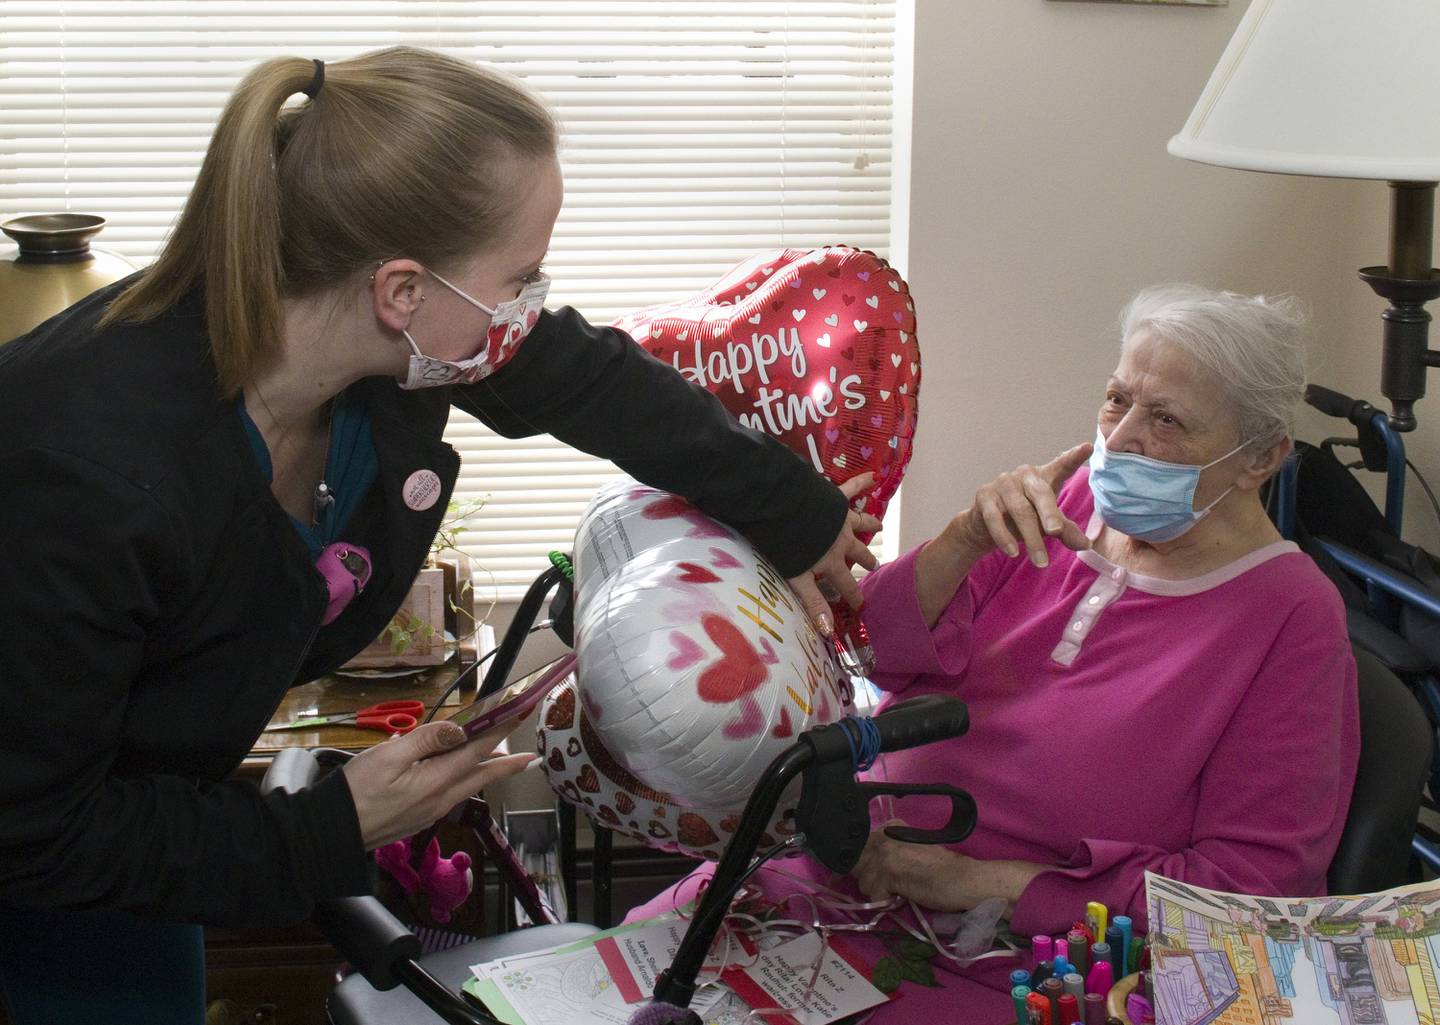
[(1157, 682)]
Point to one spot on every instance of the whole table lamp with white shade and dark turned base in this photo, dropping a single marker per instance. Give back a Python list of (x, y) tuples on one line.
[(1343, 89)]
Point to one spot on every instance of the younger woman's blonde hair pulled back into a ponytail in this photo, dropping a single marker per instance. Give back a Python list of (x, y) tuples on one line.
[(401, 153)]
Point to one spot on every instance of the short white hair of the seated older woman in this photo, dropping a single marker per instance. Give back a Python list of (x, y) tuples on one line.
[(1252, 343)]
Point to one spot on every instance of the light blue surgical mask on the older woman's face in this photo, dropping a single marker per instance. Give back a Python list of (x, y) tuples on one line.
[(1147, 499)]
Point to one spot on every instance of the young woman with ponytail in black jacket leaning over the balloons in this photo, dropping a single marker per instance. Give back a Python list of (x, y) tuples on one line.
[(181, 453)]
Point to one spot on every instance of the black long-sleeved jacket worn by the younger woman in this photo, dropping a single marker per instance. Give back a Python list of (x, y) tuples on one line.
[(156, 602)]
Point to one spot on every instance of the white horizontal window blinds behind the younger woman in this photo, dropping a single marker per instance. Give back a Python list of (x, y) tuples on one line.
[(695, 135)]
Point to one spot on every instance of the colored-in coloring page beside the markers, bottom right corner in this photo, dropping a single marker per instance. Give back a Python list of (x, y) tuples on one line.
[(1232, 959)]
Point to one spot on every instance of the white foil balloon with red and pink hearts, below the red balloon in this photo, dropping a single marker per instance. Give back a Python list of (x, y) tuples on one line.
[(696, 661)]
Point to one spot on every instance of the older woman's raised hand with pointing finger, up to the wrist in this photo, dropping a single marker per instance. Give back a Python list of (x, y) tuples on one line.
[(1019, 509)]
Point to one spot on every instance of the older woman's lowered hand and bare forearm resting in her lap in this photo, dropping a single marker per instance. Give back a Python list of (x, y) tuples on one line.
[(937, 877)]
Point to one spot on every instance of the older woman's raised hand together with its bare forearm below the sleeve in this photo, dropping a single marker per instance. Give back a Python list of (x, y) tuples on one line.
[(1014, 510)]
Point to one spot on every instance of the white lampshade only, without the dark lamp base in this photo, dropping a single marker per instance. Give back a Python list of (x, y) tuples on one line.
[(1338, 89)]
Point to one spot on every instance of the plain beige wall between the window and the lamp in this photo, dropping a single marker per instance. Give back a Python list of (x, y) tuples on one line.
[(1042, 198)]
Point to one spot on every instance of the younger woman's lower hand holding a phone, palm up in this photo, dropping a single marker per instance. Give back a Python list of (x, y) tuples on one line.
[(414, 780)]
